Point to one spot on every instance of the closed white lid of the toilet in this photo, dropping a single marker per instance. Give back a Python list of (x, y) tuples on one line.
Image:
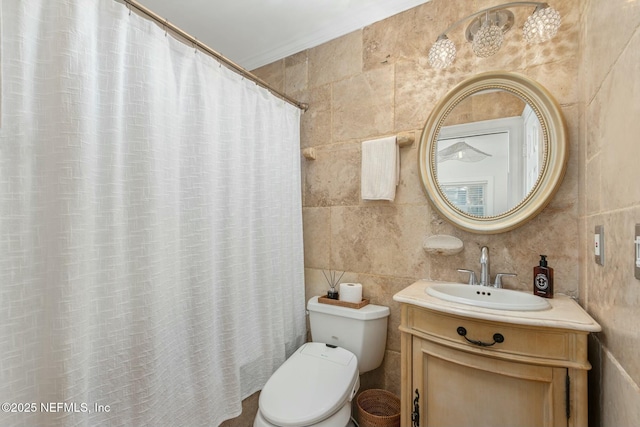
[(310, 386)]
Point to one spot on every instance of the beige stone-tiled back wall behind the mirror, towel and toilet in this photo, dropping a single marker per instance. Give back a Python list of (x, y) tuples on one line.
[(376, 82)]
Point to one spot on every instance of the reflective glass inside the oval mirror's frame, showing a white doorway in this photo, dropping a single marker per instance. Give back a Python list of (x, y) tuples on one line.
[(489, 153)]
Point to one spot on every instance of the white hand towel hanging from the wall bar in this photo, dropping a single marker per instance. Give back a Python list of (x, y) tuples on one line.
[(380, 169)]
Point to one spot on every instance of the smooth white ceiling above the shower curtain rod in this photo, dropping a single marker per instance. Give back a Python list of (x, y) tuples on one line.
[(253, 33)]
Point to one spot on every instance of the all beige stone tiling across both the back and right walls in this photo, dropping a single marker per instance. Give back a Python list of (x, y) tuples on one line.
[(376, 82)]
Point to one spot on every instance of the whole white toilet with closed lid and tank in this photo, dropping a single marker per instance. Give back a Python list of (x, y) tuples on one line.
[(315, 386)]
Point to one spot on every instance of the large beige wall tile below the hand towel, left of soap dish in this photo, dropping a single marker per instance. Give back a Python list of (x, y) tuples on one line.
[(380, 240)]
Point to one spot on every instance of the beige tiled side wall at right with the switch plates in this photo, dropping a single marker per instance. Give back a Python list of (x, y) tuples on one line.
[(610, 196)]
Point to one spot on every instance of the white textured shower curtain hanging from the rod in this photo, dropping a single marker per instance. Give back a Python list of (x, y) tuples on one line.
[(150, 224)]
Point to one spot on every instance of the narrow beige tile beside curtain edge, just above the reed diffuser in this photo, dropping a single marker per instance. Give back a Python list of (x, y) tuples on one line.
[(317, 243)]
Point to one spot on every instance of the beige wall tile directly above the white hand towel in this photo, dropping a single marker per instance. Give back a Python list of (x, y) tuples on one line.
[(363, 105)]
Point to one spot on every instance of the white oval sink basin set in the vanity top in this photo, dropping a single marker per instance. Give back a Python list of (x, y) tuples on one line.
[(487, 297)]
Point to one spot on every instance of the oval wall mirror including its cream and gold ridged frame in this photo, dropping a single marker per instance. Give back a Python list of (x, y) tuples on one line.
[(493, 152)]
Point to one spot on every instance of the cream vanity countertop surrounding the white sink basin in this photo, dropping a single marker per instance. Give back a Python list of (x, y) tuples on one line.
[(565, 313)]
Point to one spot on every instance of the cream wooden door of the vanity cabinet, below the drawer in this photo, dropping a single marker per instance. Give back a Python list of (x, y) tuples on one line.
[(459, 388)]
